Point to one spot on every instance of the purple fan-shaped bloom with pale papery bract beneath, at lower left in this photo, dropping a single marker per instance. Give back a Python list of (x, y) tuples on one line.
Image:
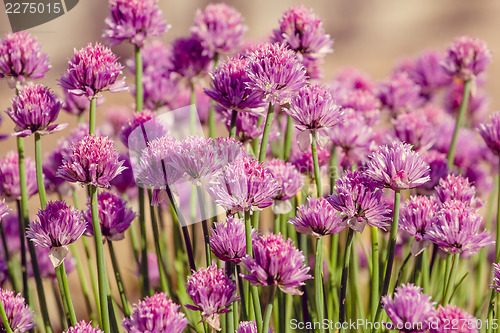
[(57, 226)]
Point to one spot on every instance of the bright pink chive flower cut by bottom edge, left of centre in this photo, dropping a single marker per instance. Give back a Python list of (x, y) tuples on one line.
[(155, 313)]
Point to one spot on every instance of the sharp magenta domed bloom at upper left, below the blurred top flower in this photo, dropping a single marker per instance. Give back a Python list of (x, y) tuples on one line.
[(93, 69)]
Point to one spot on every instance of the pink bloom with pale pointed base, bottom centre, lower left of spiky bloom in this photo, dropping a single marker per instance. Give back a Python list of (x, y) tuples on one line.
[(212, 292)]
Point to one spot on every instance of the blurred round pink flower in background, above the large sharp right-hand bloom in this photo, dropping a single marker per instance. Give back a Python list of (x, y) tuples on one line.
[(399, 94)]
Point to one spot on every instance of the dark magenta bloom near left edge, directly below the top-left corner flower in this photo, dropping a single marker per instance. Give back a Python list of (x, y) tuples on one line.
[(33, 111)]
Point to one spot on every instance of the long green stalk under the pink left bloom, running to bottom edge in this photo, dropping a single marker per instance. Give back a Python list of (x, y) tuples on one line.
[(101, 266)]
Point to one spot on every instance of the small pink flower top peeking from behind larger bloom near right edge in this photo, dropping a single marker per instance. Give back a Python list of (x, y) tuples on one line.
[(457, 188)]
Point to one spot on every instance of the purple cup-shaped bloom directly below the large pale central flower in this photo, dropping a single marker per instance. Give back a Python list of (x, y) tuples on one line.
[(227, 241)]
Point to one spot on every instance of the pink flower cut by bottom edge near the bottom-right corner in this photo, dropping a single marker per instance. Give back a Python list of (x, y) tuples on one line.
[(466, 323)]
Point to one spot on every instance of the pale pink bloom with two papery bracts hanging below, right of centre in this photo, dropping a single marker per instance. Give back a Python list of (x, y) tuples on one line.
[(315, 110)]
